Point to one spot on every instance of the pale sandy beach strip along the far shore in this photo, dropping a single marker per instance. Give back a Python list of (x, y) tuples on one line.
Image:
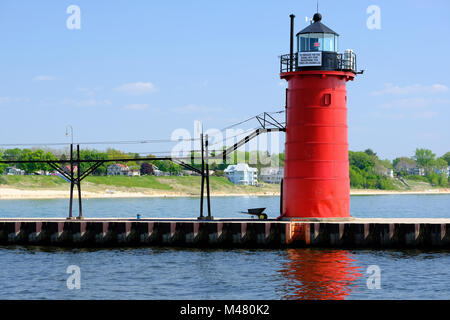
[(7, 193)]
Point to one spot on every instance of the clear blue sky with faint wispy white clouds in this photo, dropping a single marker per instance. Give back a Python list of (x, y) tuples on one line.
[(141, 69)]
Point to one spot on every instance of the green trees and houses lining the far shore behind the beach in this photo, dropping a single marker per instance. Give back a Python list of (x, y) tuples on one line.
[(367, 170)]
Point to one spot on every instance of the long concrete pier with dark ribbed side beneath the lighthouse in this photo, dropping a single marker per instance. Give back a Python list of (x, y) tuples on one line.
[(112, 232)]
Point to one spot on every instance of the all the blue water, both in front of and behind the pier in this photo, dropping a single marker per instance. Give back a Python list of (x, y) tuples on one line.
[(174, 273)]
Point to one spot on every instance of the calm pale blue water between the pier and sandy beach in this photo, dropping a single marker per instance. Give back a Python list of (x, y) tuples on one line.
[(383, 206)]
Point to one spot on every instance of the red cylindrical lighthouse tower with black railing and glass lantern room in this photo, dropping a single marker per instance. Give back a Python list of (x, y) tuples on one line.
[(316, 180)]
